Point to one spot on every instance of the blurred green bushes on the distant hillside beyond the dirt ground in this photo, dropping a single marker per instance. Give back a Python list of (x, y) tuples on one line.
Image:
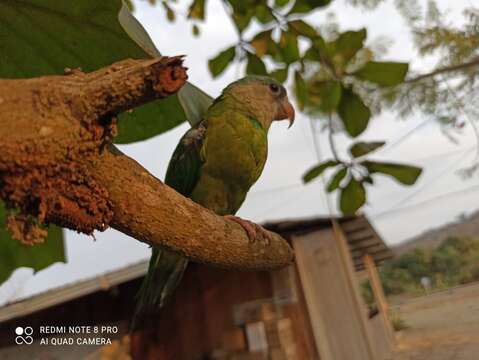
[(454, 262)]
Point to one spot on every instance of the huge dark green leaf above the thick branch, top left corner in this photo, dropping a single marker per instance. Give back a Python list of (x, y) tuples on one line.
[(83, 33)]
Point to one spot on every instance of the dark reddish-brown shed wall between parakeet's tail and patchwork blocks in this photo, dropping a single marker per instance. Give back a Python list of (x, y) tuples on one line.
[(192, 325)]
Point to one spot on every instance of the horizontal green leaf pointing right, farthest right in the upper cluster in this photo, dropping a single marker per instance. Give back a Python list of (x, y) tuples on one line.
[(383, 73)]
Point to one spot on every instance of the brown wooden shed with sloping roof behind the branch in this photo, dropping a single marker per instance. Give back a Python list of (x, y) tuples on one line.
[(310, 310)]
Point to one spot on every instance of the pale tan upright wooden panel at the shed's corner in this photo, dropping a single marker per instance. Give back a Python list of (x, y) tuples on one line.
[(336, 315)]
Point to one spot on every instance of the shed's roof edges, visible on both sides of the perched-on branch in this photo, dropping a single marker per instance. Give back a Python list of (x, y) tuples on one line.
[(361, 237)]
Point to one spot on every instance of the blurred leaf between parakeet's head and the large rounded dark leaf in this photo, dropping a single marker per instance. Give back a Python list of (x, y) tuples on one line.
[(324, 95)]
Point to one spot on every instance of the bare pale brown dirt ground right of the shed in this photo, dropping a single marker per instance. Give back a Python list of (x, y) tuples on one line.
[(442, 326)]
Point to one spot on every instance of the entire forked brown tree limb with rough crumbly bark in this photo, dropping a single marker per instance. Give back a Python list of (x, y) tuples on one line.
[(56, 164)]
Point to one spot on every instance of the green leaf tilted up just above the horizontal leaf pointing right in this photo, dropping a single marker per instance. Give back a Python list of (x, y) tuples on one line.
[(343, 49)]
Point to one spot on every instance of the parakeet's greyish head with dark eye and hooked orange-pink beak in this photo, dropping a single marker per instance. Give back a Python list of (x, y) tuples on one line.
[(262, 97)]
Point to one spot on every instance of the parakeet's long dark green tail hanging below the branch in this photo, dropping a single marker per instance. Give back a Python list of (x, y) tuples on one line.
[(164, 274)]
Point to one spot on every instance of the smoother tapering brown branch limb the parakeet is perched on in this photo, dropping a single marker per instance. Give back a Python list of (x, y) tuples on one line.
[(150, 211)]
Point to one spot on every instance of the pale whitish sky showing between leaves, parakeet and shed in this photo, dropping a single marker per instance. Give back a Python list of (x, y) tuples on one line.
[(397, 212)]
